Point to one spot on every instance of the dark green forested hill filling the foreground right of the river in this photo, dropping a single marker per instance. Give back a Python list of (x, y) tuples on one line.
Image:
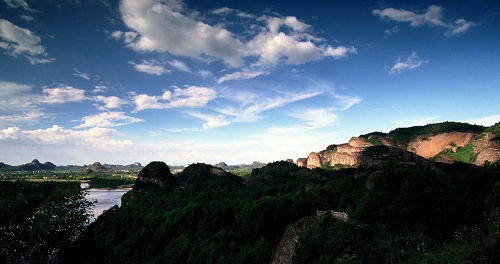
[(398, 212)]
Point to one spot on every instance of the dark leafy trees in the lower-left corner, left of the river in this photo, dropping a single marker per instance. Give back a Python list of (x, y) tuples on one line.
[(39, 221)]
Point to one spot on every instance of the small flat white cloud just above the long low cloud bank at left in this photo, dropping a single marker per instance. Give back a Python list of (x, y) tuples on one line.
[(108, 119)]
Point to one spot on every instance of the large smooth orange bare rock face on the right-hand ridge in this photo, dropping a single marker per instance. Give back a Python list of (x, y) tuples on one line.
[(433, 145)]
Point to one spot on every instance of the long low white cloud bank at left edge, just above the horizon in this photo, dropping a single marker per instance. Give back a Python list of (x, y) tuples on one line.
[(95, 138)]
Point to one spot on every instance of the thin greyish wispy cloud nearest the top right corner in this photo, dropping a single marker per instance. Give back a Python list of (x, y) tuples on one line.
[(433, 16)]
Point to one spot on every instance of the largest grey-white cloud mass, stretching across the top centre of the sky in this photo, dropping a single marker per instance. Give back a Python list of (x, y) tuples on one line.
[(166, 26)]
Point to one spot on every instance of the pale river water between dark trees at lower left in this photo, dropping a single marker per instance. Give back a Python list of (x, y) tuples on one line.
[(105, 198)]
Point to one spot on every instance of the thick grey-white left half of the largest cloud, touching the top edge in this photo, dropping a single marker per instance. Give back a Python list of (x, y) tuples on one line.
[(162, 27)]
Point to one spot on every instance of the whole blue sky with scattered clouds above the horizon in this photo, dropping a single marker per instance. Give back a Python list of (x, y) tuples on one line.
[(191, 81)]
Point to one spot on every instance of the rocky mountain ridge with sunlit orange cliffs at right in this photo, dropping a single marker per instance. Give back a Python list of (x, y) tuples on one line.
[(446, 142)]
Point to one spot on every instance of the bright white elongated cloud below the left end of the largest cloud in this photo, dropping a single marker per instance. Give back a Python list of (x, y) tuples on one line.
[(190, 97)]
